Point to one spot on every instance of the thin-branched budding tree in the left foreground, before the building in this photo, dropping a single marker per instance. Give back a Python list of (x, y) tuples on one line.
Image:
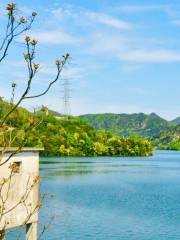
[(15, 27)]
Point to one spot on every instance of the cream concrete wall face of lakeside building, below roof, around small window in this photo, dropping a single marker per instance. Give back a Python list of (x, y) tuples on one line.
[(18, 186)]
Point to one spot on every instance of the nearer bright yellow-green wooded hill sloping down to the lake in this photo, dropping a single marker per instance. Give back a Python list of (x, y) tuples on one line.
[(70, 136)]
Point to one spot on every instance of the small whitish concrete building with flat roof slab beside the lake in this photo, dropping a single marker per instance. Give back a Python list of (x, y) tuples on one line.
[(19, 190)]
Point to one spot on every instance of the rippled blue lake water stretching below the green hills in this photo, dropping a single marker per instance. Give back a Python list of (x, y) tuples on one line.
[(112, 198)]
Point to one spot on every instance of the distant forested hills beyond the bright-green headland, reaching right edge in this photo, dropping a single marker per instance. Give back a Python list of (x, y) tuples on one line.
[(163, 134)]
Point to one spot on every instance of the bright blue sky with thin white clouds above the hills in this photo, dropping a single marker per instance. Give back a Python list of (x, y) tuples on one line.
[(125, 55)]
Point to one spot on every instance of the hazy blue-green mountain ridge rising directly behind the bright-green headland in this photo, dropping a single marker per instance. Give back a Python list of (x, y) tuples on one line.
[(149, 126)]
